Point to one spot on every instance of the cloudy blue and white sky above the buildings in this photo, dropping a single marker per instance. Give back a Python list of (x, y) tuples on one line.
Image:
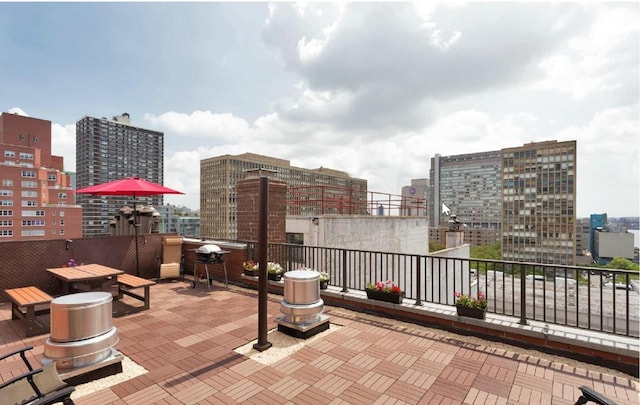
[(372, 89)]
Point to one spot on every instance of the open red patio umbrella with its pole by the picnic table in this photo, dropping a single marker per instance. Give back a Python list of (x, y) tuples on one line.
[(133, 186)]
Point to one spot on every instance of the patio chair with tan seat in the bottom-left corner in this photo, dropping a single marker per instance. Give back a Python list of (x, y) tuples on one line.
[(35, 387)]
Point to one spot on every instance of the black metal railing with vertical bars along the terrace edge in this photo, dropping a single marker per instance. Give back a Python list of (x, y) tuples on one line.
[(583, 297)]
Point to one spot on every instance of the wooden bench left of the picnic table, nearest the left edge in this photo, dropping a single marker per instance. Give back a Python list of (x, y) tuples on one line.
[(29, 298)]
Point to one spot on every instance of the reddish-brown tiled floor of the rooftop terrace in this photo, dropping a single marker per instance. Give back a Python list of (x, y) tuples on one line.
[(186, 341)]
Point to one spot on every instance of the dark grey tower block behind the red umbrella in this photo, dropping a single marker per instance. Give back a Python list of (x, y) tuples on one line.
[(113, 149)]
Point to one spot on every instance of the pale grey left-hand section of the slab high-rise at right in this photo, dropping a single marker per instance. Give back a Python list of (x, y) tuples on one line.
[(469, 186)]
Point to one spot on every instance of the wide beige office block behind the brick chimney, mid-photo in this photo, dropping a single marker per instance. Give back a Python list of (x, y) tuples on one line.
[(336, 190)]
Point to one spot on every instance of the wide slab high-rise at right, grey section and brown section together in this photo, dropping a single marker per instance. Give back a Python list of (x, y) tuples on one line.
[(526, 193)]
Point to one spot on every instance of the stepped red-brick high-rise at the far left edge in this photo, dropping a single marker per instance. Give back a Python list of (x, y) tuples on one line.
[(36, 201)]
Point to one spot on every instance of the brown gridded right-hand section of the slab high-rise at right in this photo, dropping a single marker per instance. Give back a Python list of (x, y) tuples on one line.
[(538, 203)]
